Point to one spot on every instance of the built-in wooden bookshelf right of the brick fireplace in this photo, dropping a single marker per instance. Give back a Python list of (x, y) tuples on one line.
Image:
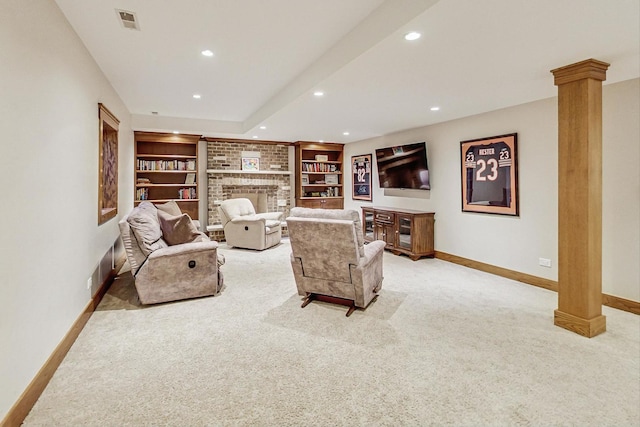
[(319, 180)]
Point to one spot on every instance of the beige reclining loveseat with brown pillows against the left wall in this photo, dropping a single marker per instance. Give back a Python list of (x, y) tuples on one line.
[(169, 258)]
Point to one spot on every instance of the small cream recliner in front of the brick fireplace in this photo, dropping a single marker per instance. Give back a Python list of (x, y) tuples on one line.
[(244, 228)]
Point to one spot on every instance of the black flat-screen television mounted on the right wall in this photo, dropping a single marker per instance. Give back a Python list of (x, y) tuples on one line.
[(403, 166)]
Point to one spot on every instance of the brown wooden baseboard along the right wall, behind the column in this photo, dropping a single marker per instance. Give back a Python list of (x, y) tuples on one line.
[(608, 300)]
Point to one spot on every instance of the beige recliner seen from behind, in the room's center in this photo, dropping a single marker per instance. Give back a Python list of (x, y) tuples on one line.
[(329, 258)]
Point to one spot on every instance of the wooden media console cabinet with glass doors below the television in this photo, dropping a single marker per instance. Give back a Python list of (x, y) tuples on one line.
[(405, 231)]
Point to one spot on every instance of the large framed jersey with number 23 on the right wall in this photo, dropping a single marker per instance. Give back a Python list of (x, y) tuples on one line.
[(490, 175)]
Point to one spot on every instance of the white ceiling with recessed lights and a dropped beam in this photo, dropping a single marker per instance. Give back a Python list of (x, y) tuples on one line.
[(271, 55)]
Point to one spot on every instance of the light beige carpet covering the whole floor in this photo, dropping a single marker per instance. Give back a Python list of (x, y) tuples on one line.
[(442, 345)]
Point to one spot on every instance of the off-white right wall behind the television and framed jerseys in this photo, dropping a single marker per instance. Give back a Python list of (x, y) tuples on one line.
[(517, 243)]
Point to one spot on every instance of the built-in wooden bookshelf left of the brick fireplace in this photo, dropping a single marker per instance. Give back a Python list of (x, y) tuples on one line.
[(166, 168)]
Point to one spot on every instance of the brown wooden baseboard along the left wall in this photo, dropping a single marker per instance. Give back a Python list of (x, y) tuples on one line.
[(31, 394)]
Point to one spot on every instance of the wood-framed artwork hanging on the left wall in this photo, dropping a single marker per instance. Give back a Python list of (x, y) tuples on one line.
[(108, 165)]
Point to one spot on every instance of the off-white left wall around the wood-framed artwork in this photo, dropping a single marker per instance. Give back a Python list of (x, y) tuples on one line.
[(50, 243)]
